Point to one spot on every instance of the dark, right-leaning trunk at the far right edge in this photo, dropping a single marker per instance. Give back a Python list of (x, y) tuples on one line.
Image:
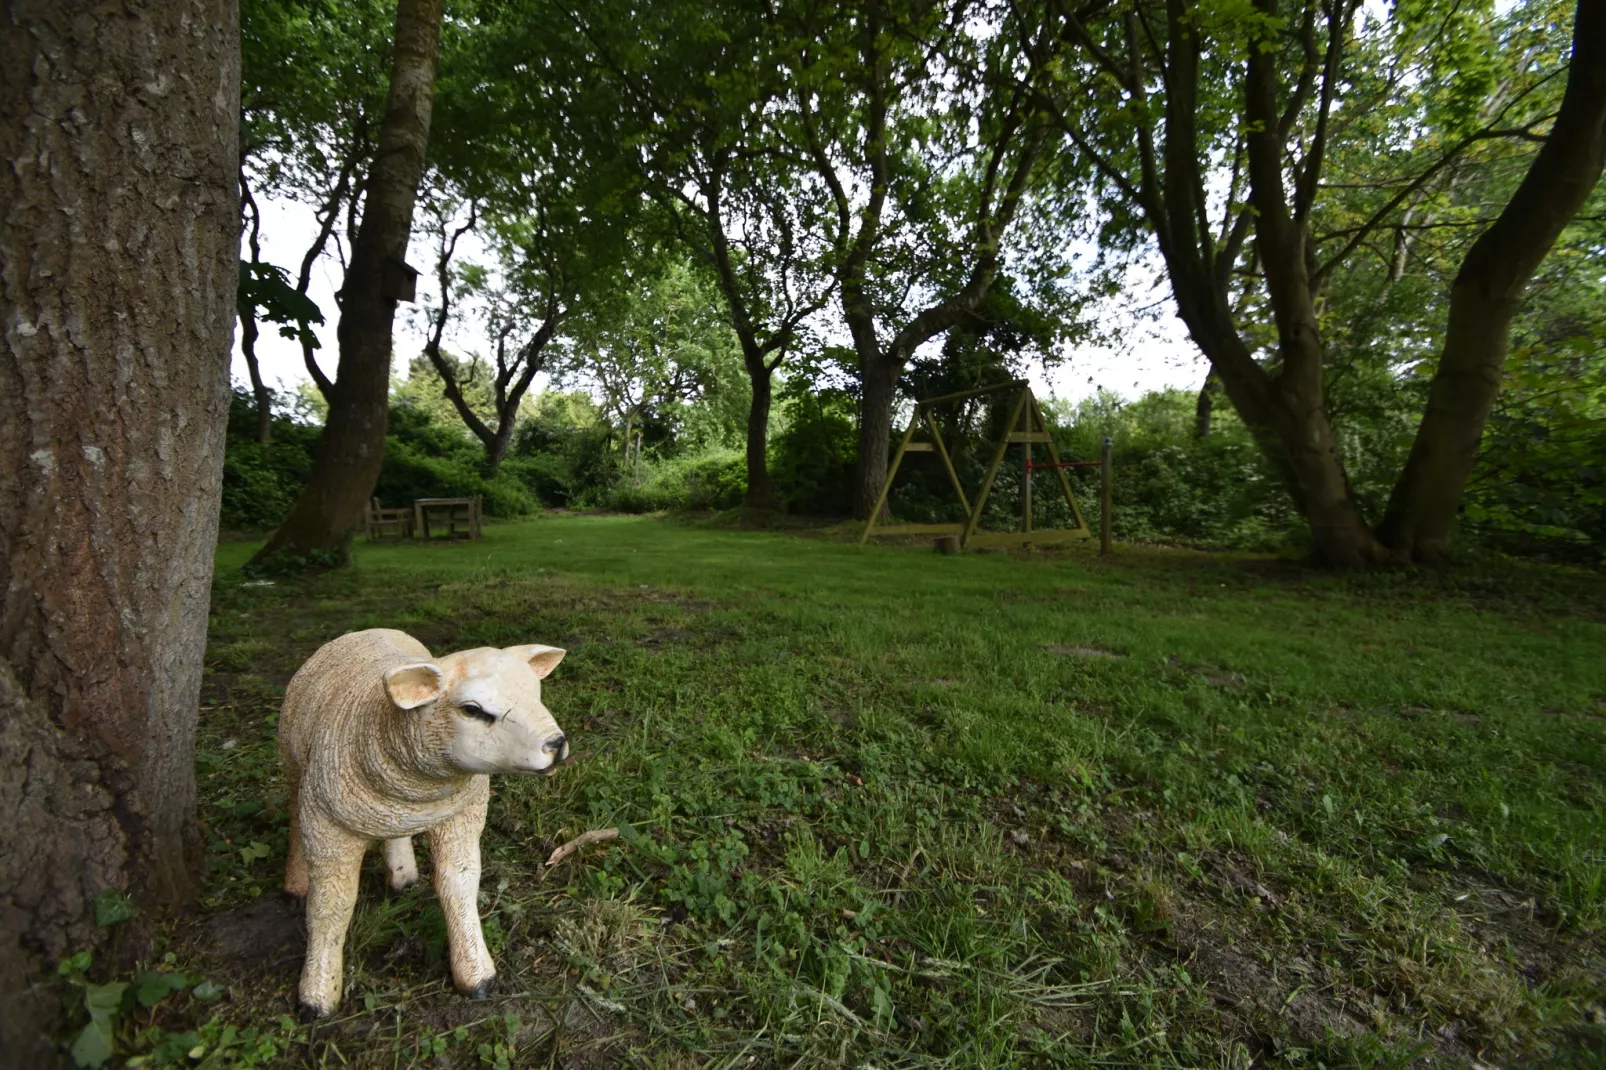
[(1488, 293)]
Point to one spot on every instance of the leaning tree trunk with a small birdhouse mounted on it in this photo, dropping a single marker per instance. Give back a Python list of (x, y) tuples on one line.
[(353, 447)]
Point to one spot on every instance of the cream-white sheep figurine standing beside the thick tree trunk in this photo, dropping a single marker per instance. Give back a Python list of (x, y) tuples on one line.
[(381, 743)]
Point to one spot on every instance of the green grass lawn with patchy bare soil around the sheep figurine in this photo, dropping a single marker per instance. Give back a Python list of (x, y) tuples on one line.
[(889, 809)]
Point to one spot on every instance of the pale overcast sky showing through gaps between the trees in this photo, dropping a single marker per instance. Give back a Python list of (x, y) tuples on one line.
[(1154, 353)]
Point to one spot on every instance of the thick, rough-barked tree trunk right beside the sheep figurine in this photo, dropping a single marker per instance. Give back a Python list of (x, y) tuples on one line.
[(120, 242)]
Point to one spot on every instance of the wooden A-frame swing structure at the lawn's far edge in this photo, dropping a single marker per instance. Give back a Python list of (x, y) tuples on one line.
[(1025, 428)]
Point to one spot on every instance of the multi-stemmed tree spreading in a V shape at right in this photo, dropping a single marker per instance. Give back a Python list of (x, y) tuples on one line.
[(1175, 100)]
